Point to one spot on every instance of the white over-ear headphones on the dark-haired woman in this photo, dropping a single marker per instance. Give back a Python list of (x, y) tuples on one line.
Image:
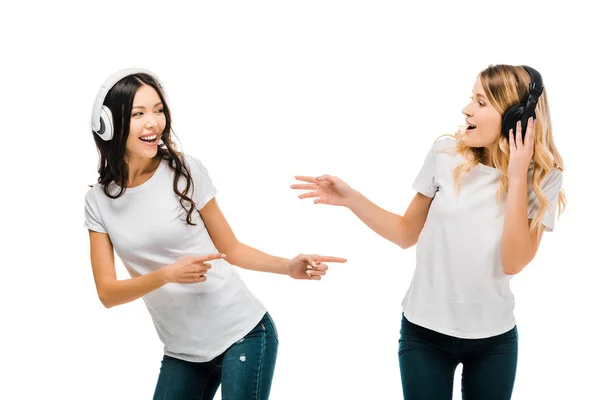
[(102, 121)]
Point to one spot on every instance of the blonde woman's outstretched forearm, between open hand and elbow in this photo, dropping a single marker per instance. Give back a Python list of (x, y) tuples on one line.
[(388, 225)]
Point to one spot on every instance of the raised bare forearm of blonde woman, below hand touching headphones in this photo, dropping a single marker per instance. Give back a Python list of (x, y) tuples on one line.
[(517, 248)]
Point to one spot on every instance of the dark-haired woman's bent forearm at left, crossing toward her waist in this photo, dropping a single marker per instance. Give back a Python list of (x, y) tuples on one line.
[(123, 291)]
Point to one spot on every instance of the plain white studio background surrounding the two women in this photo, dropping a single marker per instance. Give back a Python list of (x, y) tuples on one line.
[(261, 91)]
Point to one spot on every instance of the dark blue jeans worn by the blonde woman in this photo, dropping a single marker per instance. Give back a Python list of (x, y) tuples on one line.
[(428, 360)]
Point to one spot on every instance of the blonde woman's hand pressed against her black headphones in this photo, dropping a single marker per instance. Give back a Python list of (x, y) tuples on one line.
[(521, 151)]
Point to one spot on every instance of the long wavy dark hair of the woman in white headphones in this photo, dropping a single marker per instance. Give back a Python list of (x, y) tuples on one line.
[(113, 167)]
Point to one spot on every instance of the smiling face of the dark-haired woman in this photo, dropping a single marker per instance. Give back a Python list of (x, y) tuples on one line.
[(146, 125)]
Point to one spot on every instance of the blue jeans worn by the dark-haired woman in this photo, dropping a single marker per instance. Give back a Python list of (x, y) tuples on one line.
[(245, 370)]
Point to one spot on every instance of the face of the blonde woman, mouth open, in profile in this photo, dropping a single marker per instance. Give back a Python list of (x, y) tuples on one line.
[(483, 121)]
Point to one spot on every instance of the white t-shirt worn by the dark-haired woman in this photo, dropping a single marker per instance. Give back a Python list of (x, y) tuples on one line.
[(195, 322)]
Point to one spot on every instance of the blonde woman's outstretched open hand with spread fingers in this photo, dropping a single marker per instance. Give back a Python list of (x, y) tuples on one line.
[(327, 190)]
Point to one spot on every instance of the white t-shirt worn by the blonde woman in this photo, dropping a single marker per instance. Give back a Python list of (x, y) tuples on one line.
[(459, 287)]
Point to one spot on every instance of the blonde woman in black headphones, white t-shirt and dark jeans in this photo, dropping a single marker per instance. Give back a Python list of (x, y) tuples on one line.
[(485, 196)]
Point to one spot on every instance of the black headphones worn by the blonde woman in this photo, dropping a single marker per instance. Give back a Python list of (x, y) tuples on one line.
[(522, 111)]
